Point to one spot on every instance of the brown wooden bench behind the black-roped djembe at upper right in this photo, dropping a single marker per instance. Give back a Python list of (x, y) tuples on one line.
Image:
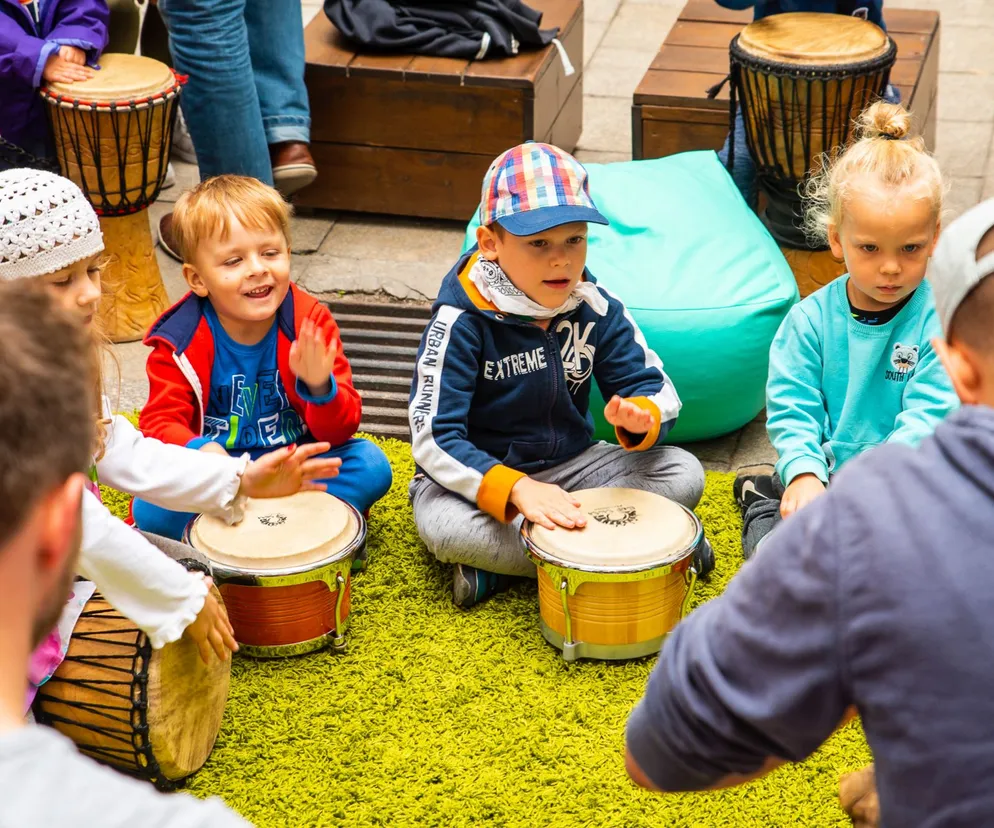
[(671, 111)]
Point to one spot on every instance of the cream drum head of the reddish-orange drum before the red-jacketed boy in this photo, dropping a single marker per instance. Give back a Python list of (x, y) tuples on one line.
[(278, 533)]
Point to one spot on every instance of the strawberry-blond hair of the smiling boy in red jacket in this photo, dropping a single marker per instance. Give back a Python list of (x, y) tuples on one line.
[(206, 211)]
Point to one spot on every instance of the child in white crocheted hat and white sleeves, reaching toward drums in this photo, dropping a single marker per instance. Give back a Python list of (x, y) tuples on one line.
[(49, 232)]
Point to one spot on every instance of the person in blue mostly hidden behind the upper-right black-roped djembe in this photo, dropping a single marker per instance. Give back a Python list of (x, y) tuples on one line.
[(743, 167)]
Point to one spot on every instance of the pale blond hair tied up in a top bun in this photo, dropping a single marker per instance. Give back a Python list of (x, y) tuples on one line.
[(883, 149)]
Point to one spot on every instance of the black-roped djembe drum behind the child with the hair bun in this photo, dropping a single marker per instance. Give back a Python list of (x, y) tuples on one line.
[(801, 79)]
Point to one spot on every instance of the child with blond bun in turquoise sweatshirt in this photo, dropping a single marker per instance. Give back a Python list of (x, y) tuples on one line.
[(852, 366)]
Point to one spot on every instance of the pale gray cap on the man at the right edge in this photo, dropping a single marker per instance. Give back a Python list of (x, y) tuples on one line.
[(955, 270)]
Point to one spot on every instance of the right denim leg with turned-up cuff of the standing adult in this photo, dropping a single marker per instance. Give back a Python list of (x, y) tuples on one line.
[(276, 45)]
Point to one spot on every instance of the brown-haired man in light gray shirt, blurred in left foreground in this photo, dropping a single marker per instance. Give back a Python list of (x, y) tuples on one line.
[(46, 436)]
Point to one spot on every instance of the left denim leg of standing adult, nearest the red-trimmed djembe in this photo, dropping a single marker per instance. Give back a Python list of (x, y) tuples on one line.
[(209, 43)]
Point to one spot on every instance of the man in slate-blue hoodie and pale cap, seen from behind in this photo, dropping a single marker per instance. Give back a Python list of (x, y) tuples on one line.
[(877, 595)]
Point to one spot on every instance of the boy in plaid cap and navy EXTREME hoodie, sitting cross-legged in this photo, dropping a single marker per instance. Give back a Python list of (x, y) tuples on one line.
[(499, 410)]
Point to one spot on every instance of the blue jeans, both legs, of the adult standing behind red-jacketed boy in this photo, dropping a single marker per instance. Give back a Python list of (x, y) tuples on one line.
[(245, 62)]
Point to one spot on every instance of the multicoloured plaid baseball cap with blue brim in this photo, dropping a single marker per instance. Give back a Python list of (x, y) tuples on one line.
[(534, 187)]
